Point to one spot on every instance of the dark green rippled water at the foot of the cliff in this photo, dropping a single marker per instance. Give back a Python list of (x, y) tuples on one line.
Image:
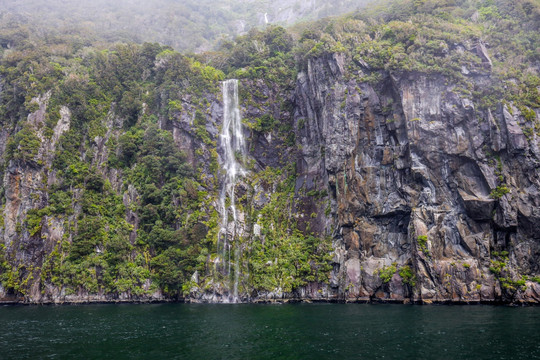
[(318, 331)]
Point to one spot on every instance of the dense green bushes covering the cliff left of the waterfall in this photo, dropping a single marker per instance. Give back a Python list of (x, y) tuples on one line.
[(101, 255)]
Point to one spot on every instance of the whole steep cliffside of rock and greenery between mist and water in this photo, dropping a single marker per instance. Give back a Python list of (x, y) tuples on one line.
[(390, 156)]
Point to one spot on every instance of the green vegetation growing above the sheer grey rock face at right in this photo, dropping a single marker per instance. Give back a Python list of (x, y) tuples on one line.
[(440, 38)]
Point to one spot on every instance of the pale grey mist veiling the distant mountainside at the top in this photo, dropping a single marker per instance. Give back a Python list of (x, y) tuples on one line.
[(186, 25)]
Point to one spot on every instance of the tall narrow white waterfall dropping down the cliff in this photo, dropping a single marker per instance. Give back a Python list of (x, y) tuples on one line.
[(233, 148)]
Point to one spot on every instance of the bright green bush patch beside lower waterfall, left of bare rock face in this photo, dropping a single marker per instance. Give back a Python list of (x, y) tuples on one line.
[(284, 257)]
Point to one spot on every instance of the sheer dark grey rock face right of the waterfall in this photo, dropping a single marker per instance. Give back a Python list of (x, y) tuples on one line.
[(410, 167)]
